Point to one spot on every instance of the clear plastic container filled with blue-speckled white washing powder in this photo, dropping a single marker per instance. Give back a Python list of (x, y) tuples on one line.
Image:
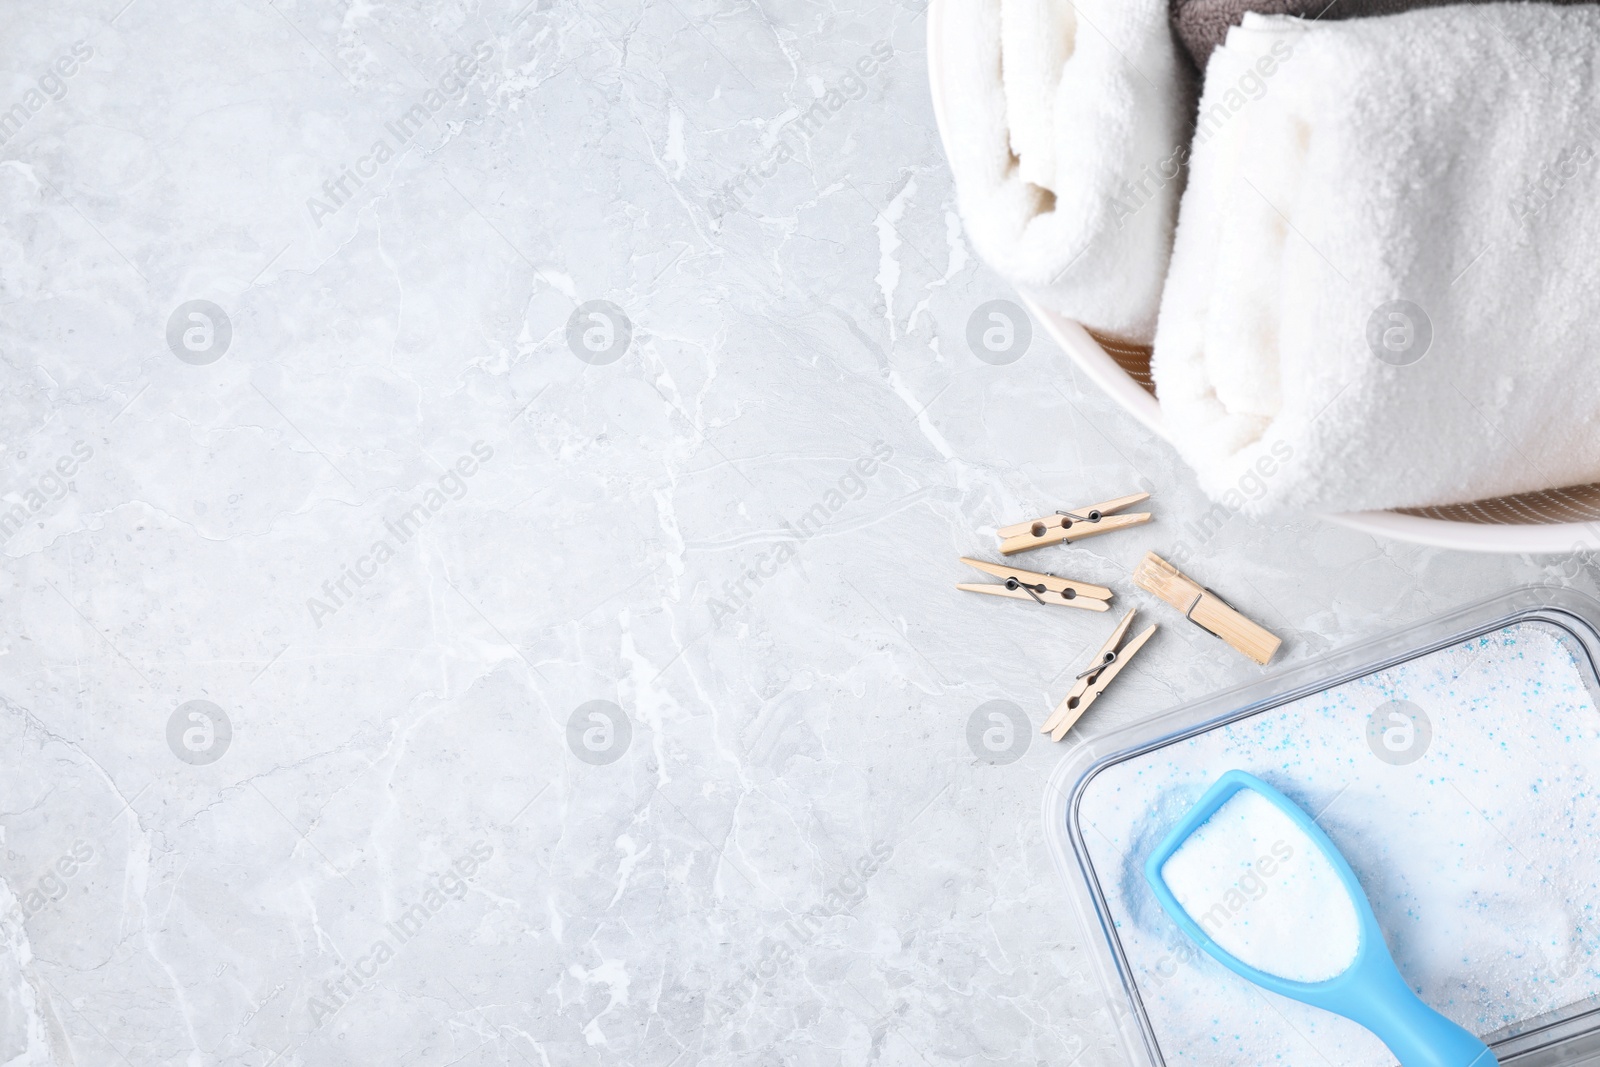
[(1450, 765)]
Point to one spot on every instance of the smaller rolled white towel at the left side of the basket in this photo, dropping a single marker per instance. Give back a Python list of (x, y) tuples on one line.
[(1068, 127)]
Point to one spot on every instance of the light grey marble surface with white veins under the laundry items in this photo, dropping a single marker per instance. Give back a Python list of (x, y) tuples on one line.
[(385, 684)]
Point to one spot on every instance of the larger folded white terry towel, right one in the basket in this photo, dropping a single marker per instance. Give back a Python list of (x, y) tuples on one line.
[(1444, 158)]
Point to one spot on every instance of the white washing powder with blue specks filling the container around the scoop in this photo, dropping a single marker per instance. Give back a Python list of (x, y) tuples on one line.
[(1473, 833)]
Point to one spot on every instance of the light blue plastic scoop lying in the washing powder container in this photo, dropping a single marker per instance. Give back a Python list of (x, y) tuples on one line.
[(1369, 991)]
